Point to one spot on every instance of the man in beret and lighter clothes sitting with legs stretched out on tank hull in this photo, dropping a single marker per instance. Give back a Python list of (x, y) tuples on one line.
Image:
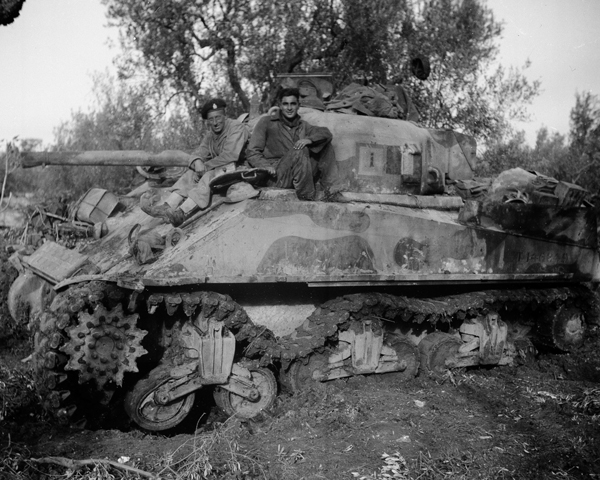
[(221, 149)]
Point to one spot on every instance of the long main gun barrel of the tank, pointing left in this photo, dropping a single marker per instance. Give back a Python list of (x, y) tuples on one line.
[(124, 158)]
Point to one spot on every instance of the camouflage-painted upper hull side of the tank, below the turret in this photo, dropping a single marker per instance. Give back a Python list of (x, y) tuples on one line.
[(326, 244)]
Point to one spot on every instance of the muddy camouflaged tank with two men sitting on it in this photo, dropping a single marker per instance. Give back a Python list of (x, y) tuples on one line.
[(393, 273)]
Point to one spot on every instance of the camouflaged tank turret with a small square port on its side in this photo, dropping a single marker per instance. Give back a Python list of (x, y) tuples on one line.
[(381, 155)]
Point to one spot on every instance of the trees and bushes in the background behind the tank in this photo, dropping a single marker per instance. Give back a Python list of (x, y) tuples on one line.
[(179, 52)]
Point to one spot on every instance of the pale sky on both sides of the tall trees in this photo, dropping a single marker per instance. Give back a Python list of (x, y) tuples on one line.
[(48, 56)]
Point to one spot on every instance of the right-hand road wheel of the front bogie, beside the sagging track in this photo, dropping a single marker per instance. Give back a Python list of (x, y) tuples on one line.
[(241, 407)]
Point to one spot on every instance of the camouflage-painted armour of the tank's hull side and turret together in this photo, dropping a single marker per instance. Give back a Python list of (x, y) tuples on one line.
[(362, 242)]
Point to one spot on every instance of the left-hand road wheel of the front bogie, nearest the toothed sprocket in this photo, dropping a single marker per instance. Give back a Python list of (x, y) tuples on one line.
[(142, 408)]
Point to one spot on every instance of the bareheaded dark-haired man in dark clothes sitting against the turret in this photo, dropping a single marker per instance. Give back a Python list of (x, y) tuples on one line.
[(291, 150)]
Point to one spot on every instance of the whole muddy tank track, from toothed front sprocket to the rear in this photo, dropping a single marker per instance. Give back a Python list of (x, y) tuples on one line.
[(65, 386)]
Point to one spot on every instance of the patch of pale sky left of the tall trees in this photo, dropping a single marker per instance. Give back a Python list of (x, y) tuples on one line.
[(47, 58)]
